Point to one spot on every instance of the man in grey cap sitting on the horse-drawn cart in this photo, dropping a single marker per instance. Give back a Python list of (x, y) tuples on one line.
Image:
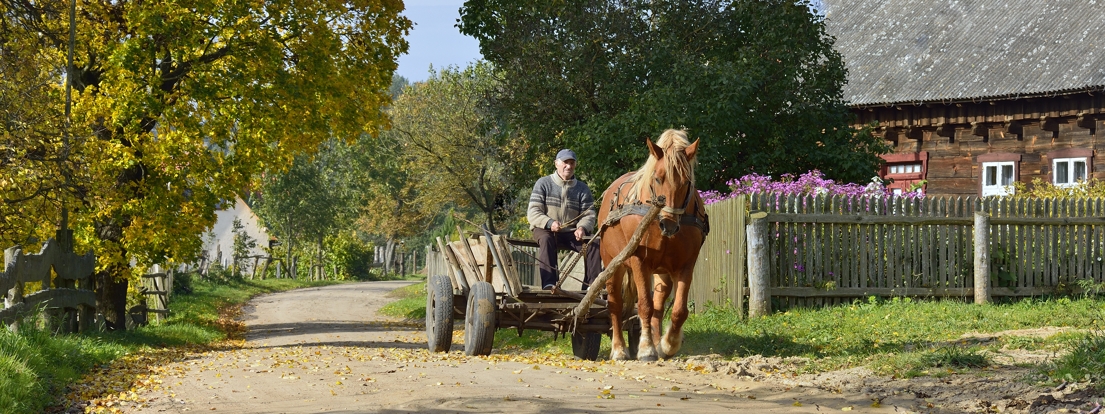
[(561, 216)]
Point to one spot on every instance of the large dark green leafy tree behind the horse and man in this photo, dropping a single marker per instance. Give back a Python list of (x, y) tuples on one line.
[(759, 82)]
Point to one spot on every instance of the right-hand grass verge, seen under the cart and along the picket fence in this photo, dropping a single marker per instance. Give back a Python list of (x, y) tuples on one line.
[(899, 337)]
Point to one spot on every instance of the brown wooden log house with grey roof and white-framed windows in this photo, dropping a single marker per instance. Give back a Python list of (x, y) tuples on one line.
[(976, 94)]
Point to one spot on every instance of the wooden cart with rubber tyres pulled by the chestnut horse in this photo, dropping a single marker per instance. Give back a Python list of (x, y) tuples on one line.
[(483, 288)]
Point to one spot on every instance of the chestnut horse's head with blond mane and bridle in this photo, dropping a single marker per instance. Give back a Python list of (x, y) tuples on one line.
[(672, 177)]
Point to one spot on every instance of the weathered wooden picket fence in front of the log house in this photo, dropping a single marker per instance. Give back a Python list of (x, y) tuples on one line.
[(830, 250)]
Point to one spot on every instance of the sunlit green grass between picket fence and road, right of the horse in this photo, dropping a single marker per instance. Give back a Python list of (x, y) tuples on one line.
[(907, 337)]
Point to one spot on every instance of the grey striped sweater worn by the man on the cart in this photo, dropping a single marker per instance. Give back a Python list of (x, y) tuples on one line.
[(554, 199)]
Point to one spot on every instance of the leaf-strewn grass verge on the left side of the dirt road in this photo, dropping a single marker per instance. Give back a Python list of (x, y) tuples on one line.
[(37, 367)]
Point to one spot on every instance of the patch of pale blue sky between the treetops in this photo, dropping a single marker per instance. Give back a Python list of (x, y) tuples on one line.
[(435, 40)]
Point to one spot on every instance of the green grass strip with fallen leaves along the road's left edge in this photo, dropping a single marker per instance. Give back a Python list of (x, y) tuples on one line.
[(37, 367)]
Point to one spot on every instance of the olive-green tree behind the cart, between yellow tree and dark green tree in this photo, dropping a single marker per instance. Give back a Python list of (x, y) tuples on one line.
[(457, 147)]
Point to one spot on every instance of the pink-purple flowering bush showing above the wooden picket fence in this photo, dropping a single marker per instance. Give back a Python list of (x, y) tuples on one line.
[(811, 184)]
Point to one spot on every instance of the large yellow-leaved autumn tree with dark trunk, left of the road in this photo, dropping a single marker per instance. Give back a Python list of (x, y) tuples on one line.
[(187, 103)]
